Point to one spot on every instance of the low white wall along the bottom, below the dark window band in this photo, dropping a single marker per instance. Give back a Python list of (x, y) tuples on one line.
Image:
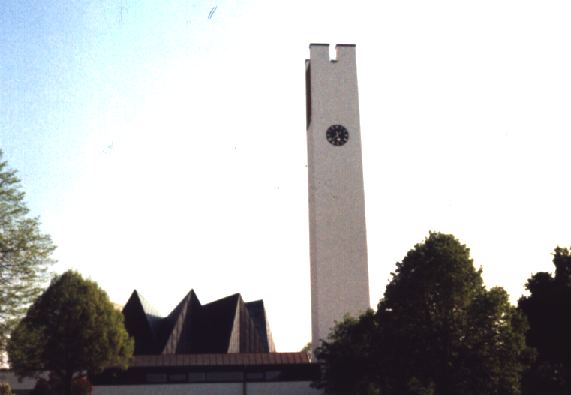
[(275, 388)]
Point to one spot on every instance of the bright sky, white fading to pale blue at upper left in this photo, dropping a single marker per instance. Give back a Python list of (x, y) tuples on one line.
[(163, 144)]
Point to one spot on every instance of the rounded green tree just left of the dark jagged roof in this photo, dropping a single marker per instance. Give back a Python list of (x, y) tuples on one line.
[(72, 327)]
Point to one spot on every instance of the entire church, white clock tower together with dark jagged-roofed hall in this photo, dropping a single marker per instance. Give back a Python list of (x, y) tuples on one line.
[(226, 346)]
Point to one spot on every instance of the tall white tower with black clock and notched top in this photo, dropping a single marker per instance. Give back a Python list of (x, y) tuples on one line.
[(338, 240)]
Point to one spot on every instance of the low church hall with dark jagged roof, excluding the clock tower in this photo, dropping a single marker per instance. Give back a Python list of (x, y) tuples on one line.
[(221, 347)]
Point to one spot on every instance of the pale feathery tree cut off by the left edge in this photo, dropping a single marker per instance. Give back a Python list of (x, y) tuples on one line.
[(24, 254)]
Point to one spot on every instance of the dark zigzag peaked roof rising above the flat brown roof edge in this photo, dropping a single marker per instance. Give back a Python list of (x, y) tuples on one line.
[(227, 325)]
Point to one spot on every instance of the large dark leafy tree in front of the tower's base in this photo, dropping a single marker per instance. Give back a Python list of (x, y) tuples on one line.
[(437, 331)]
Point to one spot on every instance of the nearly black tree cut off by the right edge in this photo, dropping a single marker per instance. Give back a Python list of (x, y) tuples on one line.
[(548, 310)]
